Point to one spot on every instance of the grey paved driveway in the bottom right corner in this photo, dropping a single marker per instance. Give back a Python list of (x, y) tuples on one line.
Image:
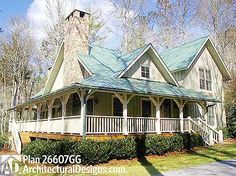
[(222, 168)]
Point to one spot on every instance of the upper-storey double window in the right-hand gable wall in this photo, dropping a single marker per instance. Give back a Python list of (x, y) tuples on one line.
[(205, 79)]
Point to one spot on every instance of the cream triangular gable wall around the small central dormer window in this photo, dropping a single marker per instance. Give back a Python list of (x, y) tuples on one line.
[(135, 70)]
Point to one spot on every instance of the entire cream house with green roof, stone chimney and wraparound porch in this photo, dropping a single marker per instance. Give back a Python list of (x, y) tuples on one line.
[(92, 90)]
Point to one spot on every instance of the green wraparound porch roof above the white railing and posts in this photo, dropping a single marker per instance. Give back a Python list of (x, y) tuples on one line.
[(130, 85)]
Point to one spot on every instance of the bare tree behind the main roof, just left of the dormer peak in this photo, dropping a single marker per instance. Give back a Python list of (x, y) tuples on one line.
[(131, 22)]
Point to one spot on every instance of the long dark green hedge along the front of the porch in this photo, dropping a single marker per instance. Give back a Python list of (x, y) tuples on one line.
[(94, 152)]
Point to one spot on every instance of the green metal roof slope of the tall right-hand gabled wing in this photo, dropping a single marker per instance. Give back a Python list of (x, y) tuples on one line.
[(180, 57)]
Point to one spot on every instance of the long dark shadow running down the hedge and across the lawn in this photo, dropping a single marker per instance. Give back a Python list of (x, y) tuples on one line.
[(140, 153)]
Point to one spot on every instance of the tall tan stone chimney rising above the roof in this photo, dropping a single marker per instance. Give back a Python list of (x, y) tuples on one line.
[(75, 41)]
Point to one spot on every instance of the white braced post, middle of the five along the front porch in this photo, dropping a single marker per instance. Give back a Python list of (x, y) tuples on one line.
[(157, 101)]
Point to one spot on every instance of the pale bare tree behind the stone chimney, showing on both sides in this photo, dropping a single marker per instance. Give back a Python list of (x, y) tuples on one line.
[(56, 11)]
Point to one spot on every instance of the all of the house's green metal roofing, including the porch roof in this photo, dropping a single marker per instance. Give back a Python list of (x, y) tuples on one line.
[(105, 64)]
